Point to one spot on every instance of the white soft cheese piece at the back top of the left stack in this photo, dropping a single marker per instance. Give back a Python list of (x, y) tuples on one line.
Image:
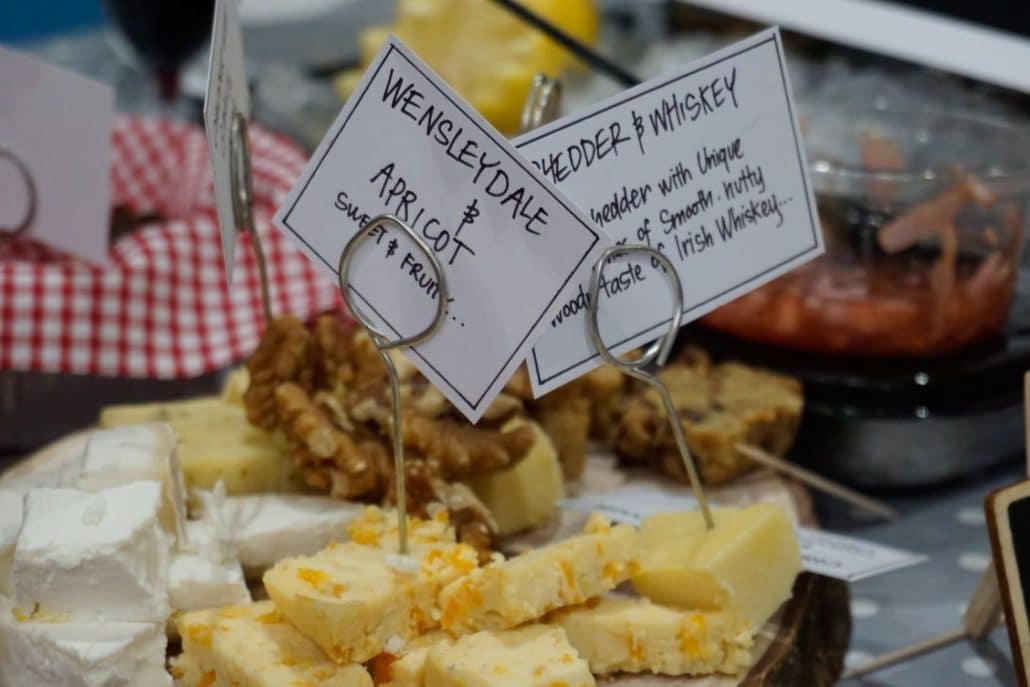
[(139, 453)]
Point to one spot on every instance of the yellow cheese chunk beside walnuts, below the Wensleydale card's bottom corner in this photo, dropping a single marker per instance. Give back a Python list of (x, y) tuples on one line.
[(525, 496)]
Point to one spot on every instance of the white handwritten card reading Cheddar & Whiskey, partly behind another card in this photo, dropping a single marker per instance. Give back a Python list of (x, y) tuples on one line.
[(706, 166)]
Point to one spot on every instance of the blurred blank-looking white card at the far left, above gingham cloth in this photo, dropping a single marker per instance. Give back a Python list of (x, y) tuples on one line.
[(56, 130)]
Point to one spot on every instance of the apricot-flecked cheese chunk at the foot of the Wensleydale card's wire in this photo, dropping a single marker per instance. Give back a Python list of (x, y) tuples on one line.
[(354, 600)]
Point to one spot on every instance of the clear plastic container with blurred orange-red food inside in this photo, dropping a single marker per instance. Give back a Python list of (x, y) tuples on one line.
[(923, 215)]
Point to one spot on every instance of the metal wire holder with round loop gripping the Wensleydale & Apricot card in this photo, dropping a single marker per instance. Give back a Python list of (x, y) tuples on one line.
[(385, 345)]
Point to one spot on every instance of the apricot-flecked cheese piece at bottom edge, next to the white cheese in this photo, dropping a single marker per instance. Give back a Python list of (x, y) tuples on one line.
[(252, 646)]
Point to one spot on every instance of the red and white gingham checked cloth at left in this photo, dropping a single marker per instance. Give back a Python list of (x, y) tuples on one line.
[(161, 307)]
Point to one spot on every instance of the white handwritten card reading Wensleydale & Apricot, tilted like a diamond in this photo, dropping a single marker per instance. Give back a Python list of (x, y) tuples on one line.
[(510, 246)]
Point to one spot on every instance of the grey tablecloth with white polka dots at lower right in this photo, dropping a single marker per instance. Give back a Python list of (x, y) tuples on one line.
[(915, 604)]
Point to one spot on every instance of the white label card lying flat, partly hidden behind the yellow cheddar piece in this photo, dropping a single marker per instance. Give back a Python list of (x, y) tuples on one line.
[(827, 554)]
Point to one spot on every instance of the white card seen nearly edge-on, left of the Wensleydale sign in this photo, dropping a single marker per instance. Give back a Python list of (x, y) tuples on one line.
[(227, 96)]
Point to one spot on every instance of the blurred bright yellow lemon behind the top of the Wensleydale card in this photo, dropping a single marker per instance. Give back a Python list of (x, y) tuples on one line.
[(484, 52)]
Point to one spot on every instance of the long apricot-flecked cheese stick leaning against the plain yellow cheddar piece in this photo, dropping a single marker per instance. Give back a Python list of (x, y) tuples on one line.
[(526, 588)]
